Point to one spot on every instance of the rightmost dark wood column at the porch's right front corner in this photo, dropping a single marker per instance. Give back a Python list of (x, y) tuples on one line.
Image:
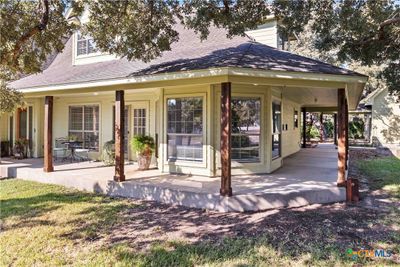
[(341, 181)]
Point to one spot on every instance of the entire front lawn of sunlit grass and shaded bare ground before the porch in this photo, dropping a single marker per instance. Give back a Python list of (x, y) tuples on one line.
[(50, 225)]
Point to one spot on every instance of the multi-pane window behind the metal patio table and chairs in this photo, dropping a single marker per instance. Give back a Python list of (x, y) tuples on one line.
[(84, 125)]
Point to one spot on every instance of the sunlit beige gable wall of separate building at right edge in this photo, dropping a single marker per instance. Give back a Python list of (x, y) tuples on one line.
[(385, 119)]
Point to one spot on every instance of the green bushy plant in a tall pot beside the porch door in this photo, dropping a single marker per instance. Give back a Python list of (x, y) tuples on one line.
[(143, 145)]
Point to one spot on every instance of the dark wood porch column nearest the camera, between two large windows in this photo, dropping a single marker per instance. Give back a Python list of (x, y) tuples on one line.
[(226, 131)]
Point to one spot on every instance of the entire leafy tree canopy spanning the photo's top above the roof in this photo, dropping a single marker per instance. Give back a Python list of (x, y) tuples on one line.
[(364, 30)]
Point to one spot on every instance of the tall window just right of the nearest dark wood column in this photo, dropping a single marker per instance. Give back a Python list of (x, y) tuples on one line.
[(246, 129)]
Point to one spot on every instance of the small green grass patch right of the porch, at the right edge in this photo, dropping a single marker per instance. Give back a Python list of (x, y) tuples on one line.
[(383, 173)]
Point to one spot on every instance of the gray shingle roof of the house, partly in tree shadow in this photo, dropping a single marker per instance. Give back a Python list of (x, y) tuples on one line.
[(189, 53)]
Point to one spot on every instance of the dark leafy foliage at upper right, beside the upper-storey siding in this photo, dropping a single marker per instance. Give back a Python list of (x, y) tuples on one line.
[(366, 32)]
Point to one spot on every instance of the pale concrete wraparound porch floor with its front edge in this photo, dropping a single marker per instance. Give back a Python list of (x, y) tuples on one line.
[(306, 177)]
